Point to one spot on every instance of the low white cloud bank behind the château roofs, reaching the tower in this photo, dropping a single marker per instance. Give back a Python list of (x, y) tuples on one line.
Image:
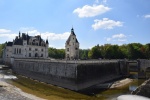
[(56, 40)]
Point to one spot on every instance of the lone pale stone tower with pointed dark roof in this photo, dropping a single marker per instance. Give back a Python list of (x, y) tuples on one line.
[(72, 47)]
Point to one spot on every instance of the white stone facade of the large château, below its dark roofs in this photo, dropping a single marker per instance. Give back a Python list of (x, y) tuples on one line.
[(25, 51)]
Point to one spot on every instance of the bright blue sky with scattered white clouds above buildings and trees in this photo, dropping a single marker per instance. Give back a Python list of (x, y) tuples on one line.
[(94, 21)]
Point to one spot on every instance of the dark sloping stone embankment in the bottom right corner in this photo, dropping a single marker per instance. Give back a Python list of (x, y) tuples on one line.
[(144, 89)]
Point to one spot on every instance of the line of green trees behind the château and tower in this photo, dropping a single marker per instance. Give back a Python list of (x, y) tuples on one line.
[(107, 51)]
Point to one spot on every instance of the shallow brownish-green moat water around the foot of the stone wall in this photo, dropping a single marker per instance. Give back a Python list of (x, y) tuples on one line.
[(47, 91)]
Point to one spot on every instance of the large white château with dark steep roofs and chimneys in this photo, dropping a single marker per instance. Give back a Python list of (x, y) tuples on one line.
[(25, 46)]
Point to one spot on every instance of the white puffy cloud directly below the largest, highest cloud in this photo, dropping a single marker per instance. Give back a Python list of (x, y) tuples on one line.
[(106, 23)]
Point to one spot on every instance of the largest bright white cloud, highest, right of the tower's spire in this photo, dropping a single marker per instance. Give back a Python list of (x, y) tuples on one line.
[(91, 11)]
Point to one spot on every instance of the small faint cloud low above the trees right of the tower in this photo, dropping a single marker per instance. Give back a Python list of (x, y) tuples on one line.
[(117, 37)]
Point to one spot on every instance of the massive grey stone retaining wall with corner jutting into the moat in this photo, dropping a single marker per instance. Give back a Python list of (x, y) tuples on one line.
[(74, 75)]
